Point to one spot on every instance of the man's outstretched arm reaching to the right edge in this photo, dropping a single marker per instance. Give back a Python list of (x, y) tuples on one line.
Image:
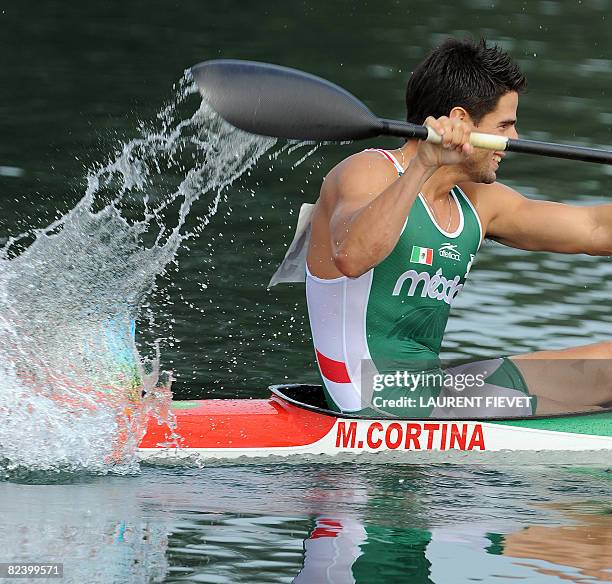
[(545, 226)]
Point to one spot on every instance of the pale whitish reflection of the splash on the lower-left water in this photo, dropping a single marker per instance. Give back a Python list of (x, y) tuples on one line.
[(106, 539)]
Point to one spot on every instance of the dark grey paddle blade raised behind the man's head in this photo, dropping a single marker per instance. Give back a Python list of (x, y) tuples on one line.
[(283, 103)]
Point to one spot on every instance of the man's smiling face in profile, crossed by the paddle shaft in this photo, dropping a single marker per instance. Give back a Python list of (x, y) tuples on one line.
[(483, 164)]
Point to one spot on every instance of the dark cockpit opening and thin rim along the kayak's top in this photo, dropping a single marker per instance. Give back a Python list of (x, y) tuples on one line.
[(312, 397)]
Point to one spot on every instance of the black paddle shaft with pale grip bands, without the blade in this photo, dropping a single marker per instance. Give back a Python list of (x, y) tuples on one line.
[(493, 142)]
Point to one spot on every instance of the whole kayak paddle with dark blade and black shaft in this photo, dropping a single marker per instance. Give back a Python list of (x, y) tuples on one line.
[(286, 103)]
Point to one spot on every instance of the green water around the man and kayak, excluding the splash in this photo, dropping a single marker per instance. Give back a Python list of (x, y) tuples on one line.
[(76, 82)]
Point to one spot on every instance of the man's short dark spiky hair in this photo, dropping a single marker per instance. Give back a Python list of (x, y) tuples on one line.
[(461, 73)]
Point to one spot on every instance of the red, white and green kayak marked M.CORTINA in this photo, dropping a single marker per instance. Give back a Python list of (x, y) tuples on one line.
[(295, 421)]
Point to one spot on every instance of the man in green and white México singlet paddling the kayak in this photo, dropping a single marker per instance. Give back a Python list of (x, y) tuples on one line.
[(394, 235)]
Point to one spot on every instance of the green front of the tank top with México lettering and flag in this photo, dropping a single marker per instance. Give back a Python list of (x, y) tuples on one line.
[(413, 288)]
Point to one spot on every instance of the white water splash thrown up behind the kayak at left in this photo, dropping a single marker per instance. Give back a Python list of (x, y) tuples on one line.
[(71, 377)]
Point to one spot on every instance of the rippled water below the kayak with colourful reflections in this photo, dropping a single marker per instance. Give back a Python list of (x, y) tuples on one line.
[(318, 524)]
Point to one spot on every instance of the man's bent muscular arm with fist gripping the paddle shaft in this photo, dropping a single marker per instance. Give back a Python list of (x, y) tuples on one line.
[(363, 204)]
